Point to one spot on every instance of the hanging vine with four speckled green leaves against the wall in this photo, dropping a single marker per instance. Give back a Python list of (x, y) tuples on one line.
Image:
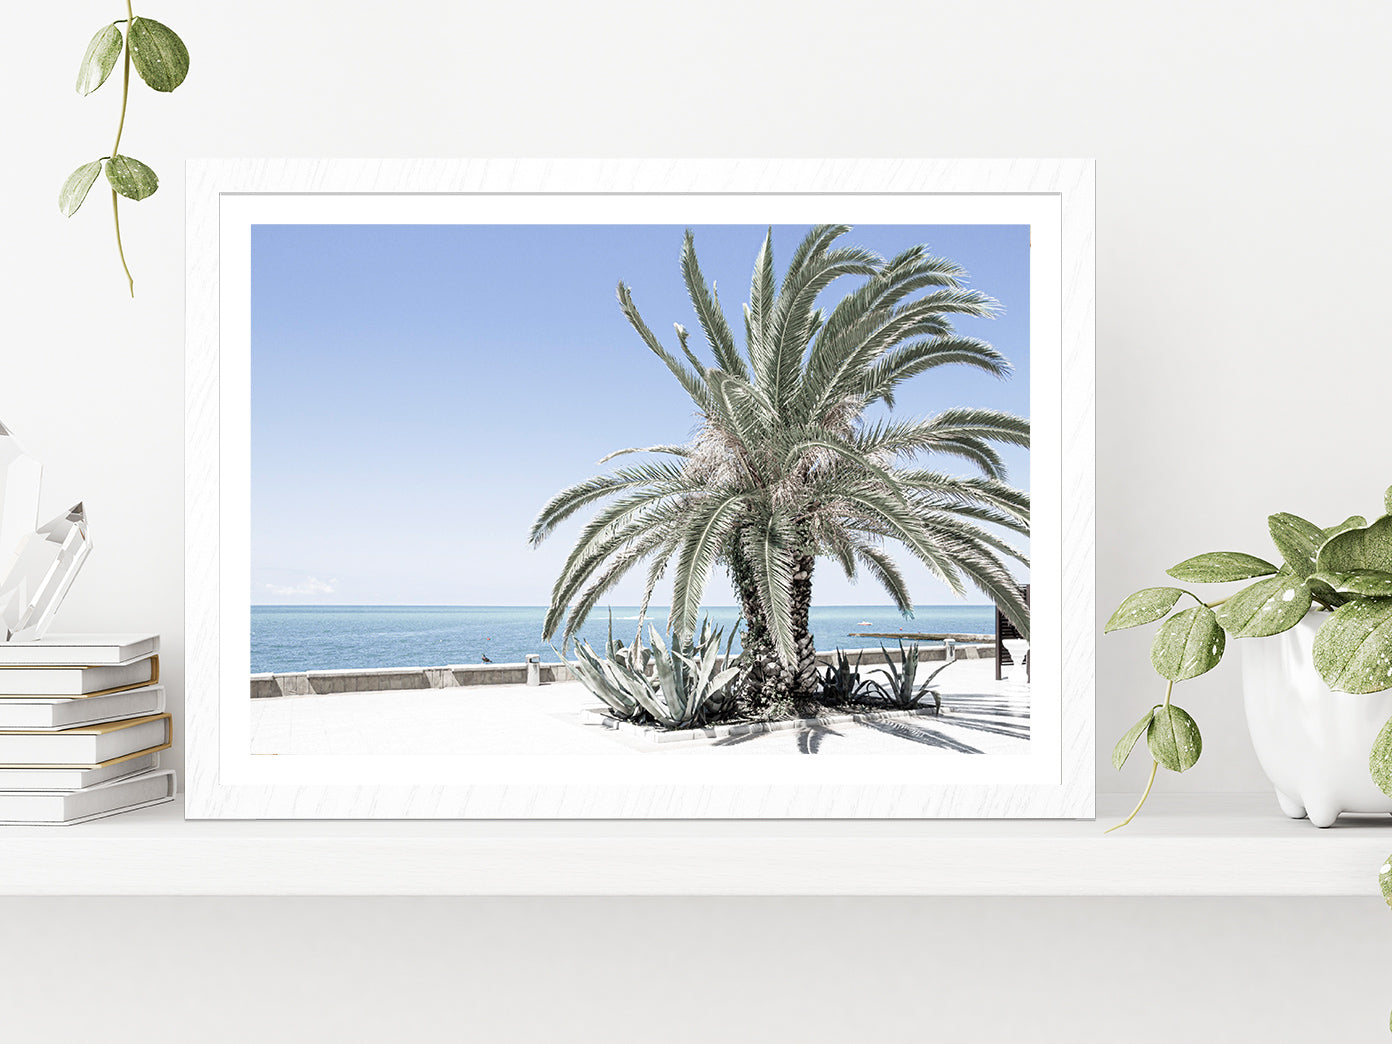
[(162, 61)]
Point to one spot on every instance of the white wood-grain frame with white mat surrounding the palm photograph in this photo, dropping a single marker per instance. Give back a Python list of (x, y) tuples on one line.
[(226, 782)]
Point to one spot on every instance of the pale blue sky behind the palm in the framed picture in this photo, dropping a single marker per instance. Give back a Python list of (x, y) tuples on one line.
[(421, 392)]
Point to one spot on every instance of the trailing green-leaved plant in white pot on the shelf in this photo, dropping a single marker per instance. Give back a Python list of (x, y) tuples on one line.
[(1318, 693)]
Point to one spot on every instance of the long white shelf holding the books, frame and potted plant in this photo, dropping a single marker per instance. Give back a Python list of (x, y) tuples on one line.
[(1210, 846)]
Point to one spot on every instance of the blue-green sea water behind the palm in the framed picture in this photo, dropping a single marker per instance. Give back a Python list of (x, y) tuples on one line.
[(328, 638)]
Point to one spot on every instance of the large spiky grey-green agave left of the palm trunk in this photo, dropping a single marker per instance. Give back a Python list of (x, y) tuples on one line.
[(681, 686)]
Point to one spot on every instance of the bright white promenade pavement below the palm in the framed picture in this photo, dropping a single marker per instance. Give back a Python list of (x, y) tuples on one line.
[(981, 718)]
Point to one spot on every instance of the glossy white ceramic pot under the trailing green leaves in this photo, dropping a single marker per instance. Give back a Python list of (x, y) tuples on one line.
[(1313, 743)]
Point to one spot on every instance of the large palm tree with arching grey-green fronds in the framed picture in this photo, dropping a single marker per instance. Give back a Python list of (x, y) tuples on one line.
[(786, 467)]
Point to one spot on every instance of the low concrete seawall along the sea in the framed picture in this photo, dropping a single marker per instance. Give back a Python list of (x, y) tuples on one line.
[(466, 676)]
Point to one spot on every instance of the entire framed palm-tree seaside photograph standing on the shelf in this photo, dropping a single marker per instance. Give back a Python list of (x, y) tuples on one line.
[(640, 489)]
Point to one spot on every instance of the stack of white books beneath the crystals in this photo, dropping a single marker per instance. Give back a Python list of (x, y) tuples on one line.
[(83, 726)]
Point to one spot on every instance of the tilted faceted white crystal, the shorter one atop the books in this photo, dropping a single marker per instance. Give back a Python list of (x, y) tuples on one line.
[(41, 574)]
